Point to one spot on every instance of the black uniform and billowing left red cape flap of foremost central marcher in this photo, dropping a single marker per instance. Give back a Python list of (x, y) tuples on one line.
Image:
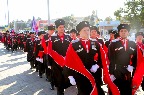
[(81, 56)]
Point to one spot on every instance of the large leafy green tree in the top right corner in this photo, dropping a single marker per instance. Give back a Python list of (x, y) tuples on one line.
[(133, 13)]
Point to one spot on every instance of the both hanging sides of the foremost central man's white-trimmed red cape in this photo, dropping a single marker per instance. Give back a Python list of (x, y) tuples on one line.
[(73, 62)]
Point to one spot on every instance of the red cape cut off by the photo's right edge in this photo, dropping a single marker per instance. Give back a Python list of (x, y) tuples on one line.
[(139, 72)]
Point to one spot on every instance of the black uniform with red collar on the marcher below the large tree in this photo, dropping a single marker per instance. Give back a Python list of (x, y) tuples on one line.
[(122, 53)]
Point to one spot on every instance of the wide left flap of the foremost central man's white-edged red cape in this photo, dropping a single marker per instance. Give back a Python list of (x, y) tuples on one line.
[(73, 61)]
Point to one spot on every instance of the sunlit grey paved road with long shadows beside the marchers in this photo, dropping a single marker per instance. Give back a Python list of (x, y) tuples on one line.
[(16, 78)]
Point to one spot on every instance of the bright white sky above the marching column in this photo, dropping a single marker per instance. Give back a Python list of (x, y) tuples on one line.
[(26, 9)]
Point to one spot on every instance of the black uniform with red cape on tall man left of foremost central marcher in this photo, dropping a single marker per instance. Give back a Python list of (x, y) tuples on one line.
[(57, 50)]
